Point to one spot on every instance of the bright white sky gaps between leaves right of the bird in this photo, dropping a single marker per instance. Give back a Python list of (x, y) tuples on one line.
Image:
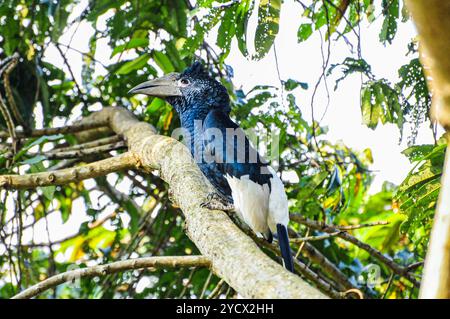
[(303, 62)]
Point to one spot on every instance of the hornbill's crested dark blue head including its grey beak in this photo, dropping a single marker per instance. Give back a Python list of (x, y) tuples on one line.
[(191, 90)]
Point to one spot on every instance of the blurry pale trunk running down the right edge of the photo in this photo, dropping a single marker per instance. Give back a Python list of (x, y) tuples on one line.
[(433, 23)]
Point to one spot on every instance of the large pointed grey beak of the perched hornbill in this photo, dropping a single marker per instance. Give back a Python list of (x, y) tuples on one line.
[(161, 87)]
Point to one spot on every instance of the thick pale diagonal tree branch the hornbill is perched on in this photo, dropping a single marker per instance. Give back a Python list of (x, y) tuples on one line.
[(234, 256)]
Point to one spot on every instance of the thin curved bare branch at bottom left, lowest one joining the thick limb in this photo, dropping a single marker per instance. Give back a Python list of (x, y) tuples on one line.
[(102, 270)]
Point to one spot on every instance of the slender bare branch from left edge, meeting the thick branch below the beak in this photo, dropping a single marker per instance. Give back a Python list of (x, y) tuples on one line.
[(68, 175)]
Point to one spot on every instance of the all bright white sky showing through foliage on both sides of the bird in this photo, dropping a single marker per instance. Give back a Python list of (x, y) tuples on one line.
[(297, 61)]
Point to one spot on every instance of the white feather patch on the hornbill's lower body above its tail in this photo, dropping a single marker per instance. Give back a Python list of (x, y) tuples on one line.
[(258, 206)]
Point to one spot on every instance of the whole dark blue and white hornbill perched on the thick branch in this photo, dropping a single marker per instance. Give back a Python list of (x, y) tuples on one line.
[(243, 180)]
